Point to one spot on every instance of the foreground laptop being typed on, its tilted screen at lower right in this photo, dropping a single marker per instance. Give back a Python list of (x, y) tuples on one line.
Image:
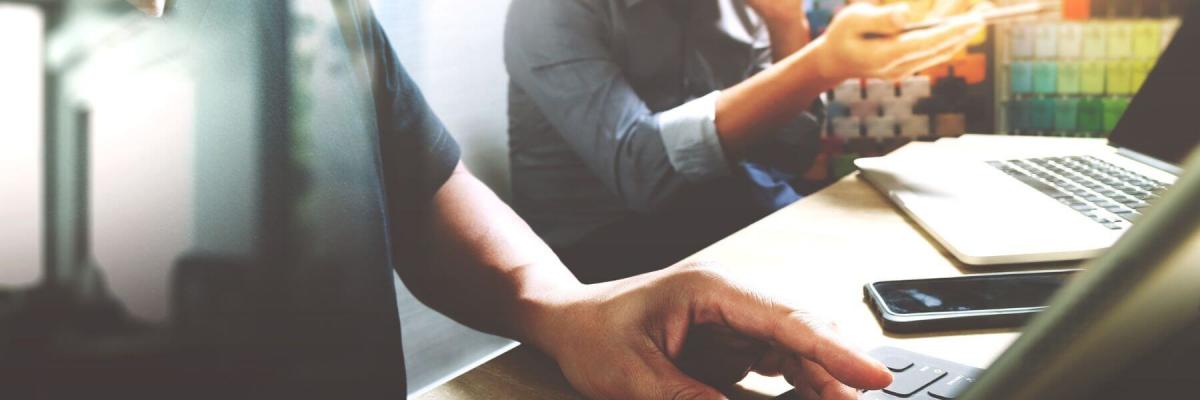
[(1127, 327)]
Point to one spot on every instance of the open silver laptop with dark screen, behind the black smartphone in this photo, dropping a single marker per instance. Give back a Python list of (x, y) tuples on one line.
[(1054, 200)]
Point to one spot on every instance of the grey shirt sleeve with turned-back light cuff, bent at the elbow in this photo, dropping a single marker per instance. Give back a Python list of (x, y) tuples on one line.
[(556, 55)]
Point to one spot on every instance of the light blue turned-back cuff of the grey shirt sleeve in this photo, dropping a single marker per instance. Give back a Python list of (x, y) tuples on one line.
[(689, 134)]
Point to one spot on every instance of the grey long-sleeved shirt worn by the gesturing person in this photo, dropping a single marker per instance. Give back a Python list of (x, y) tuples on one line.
[(613, 104)]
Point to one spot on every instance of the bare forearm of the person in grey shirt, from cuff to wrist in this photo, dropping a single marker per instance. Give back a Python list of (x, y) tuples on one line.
[(748, 111)]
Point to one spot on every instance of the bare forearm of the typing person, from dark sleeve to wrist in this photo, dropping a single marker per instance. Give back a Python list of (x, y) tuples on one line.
[(487, 267)]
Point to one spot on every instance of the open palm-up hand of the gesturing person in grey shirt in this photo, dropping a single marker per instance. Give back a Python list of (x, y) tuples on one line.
[(847, 51)]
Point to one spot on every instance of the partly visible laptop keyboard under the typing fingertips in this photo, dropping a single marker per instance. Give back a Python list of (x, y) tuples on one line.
[(916, 377)]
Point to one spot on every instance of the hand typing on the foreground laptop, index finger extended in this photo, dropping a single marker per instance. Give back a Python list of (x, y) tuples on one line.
[(628, 341)]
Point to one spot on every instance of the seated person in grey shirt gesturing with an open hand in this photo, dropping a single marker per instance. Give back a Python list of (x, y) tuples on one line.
[(650, 129)]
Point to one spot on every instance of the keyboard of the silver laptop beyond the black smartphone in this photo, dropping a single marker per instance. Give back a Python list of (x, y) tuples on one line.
[(1109, 195)]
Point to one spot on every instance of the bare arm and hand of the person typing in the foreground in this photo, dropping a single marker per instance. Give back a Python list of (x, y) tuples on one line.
[(614, 341)]
